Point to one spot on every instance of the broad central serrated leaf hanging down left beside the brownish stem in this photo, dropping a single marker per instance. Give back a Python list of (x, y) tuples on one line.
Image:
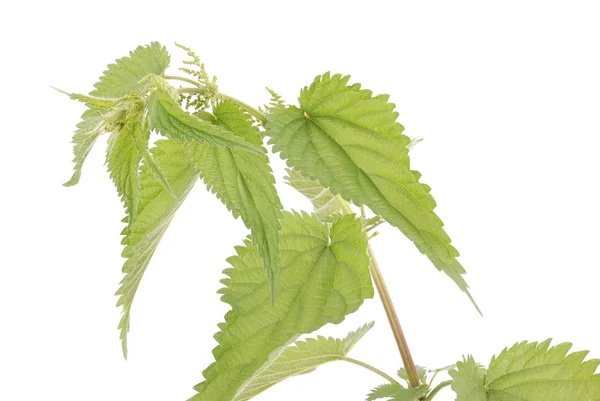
[(324, 276)]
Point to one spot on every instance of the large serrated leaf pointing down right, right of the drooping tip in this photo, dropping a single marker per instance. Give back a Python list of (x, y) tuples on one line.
[(349, 141)]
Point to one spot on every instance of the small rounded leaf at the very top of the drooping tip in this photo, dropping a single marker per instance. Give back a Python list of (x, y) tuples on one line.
[(123, 77)]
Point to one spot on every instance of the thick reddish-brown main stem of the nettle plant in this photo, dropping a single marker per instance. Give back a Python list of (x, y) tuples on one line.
[(388, 306)]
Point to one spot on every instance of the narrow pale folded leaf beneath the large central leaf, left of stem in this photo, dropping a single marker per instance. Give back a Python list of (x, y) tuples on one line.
[(301, 358)]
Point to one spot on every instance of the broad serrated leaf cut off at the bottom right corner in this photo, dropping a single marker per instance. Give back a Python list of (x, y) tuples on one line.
[(534, 372)]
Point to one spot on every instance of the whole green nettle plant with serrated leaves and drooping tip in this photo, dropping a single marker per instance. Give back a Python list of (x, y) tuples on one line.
[(297, 271)]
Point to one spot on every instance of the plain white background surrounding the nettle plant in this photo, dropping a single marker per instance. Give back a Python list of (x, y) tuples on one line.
[(505, 94)]
